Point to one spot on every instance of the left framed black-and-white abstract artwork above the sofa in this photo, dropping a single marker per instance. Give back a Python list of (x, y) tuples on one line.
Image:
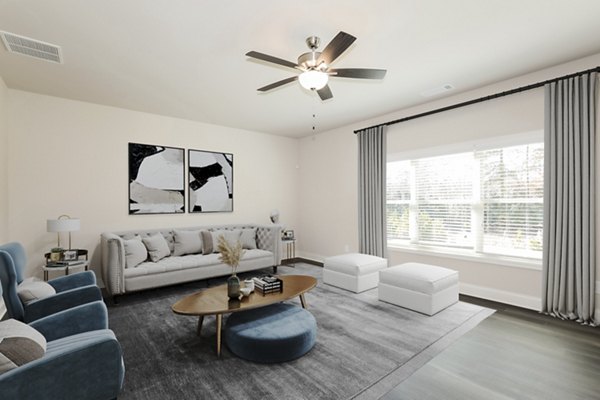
[(156, 179)]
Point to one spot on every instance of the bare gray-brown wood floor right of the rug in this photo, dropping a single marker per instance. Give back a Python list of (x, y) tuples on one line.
[(513, 354)]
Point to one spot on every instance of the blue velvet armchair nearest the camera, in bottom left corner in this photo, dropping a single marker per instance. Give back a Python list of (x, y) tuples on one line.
[(83, 359)]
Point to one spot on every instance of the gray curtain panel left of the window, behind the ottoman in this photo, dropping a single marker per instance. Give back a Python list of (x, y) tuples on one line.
[(372, 226)]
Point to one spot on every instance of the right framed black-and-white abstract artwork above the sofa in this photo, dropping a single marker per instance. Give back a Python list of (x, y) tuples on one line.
[(211, 181)]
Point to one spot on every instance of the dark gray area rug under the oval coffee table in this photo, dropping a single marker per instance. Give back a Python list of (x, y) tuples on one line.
[(363, 348)]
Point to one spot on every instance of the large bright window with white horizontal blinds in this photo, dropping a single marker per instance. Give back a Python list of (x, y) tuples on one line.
[(487, 201)]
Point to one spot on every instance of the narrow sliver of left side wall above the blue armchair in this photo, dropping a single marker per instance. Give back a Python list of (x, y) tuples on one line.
[(3, 163)]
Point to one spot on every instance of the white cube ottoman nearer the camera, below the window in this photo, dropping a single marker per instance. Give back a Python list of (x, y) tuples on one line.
[(419, 287)]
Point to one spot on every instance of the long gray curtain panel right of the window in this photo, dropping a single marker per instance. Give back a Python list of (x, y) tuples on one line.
[(569, 257)]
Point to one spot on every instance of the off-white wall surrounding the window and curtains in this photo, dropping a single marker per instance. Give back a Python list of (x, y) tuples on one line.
[(328, 178)]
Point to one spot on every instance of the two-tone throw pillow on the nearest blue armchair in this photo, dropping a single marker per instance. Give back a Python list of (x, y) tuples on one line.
[(19, 344)]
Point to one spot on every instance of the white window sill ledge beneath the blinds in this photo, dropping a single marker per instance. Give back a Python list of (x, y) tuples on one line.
[(515, 262)]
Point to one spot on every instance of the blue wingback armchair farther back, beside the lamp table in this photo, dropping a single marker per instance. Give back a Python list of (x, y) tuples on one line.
[(71, 290)]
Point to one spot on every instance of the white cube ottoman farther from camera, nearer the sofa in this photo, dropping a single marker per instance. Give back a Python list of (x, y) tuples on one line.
[(356, 272)]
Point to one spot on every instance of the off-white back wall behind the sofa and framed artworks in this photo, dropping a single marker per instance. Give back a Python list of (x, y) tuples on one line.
[(70, 157)]
